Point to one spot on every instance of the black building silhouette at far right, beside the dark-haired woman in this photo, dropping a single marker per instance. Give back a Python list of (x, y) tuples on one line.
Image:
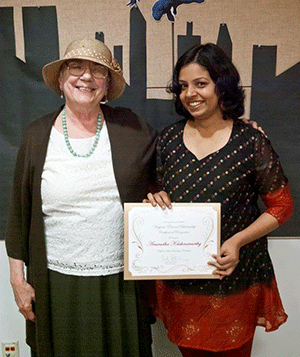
[(275, 105)]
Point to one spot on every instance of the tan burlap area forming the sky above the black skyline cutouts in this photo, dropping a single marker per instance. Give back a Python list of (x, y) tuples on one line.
[(268, 22)]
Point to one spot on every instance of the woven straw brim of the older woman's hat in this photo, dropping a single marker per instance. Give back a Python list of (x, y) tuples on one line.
[(51, 73)]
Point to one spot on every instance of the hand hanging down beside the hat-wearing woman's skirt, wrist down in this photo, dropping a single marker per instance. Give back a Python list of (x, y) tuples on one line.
[(25, 297)]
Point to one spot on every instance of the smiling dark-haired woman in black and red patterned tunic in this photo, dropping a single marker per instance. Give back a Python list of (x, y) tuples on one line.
[(218, 158)]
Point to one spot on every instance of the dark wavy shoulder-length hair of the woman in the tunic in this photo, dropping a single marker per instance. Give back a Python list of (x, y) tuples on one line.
[(223, 73)]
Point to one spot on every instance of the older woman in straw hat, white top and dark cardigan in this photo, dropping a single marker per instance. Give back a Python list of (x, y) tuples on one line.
[(75, 168)]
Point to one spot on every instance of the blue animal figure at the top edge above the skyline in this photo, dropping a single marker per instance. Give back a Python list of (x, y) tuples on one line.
[(169, 7)]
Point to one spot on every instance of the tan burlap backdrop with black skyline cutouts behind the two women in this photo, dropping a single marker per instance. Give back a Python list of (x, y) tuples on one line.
[(261, 36)]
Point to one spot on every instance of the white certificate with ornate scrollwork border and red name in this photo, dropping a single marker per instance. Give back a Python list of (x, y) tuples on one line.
[(171, 244)]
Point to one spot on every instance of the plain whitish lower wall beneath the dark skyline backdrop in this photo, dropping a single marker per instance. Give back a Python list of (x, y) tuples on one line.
[(284, 342)]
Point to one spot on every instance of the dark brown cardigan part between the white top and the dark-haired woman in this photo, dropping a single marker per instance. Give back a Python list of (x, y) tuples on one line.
[(132, 142)]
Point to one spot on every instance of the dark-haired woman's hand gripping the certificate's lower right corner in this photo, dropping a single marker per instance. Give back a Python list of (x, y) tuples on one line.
[(227, 260)]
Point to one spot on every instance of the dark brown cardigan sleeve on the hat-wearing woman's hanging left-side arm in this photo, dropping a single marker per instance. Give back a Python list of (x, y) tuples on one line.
[(32, 150)]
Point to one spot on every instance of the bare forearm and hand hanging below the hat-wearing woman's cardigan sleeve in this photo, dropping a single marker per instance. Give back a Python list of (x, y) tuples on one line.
[(24, 292)]
